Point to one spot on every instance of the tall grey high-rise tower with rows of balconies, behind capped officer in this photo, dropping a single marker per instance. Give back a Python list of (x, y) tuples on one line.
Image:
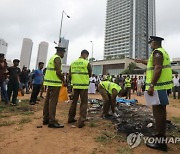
[(129, 23)]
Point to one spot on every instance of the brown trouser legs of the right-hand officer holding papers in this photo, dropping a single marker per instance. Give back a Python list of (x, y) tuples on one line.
[(159, 112)]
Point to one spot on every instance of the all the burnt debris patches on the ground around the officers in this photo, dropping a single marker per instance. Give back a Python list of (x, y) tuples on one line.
[(131, 118)]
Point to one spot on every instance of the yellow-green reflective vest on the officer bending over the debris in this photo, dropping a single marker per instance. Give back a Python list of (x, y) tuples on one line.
[(109, 86)]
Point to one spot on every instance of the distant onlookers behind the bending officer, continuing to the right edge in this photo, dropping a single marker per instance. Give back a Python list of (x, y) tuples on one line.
[(136, 85)]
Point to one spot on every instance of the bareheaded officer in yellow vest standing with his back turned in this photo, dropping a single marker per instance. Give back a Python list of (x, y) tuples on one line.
[(79, 73)]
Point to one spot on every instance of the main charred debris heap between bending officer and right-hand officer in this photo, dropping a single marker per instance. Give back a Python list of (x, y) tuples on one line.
[(135, 118)]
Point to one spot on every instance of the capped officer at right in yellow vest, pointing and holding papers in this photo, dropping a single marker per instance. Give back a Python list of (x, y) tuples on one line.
[(159, 78)]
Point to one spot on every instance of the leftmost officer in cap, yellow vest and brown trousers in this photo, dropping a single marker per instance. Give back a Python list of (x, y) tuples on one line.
[(53, 79)]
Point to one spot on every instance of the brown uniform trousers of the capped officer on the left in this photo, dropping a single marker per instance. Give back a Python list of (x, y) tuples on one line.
[(49, 111)]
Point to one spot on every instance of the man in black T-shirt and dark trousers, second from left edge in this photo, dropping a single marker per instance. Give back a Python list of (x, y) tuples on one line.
[(14, 81)]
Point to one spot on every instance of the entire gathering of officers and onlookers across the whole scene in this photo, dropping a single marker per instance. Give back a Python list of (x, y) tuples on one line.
[(80, 81)]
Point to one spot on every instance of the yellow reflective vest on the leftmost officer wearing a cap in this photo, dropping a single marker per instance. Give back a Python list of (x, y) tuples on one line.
[(51, 78)]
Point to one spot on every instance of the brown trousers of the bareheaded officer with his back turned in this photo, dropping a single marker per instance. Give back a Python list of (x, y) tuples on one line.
[(83, 106)]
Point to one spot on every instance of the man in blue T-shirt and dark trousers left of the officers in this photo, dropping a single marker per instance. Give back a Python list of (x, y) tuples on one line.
[(37, 83)]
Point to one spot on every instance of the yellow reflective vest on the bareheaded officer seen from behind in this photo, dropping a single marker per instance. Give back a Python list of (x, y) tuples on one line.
[(79, 73)]
